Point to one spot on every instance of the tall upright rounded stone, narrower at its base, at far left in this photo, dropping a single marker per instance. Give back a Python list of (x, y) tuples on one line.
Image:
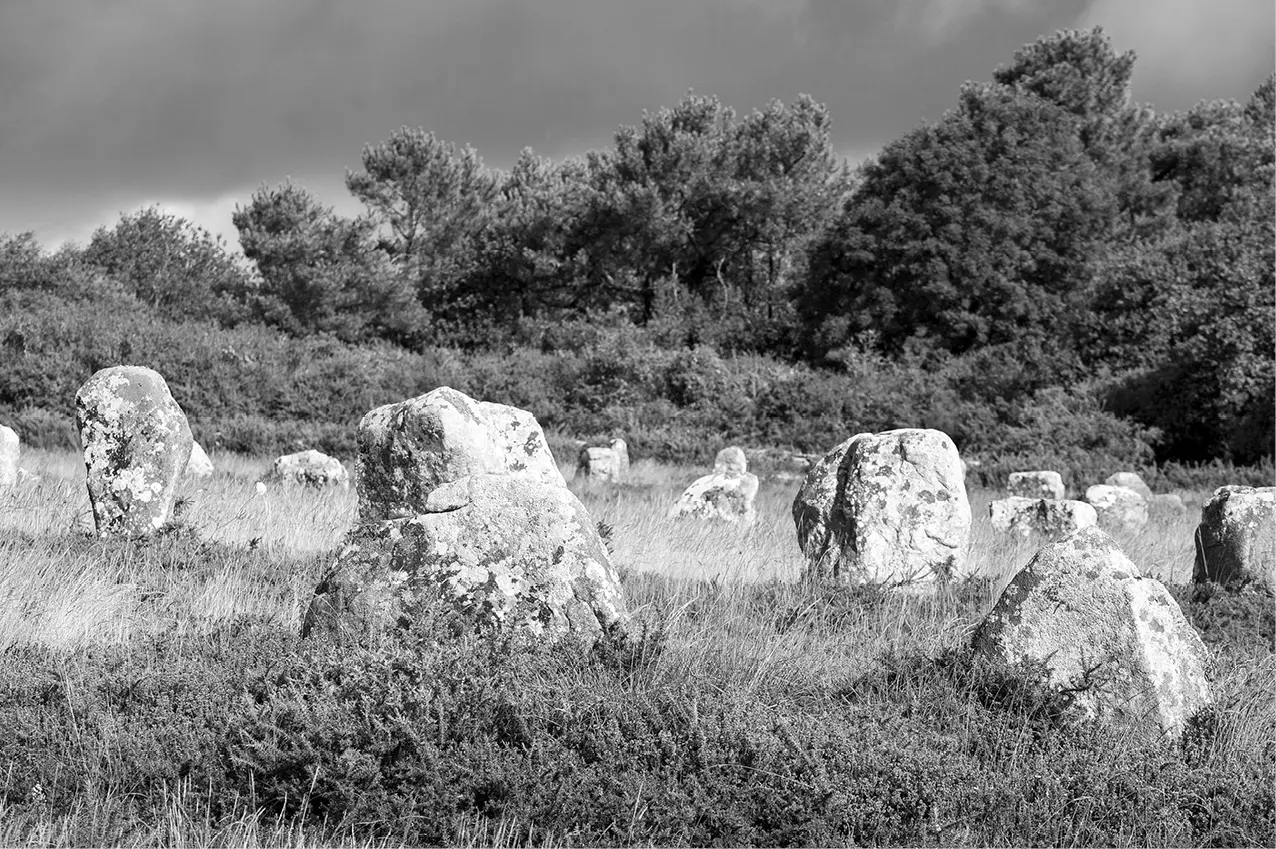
[(137, 444)]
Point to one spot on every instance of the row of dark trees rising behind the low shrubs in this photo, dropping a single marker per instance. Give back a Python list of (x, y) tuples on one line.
[(1046, 233)]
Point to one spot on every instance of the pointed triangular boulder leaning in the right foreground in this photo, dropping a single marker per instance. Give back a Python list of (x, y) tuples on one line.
[(1116, 640)]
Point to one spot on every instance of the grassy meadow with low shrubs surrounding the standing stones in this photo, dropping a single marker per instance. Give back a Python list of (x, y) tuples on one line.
[(158, 695)]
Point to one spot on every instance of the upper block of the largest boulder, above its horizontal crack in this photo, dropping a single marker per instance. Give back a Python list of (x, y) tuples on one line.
[(406, 450)]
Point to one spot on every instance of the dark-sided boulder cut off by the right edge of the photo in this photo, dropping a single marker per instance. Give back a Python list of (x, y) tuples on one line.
[(1236, 542)]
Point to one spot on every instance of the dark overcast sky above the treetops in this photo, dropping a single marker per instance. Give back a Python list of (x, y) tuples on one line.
[(112, 105)]
